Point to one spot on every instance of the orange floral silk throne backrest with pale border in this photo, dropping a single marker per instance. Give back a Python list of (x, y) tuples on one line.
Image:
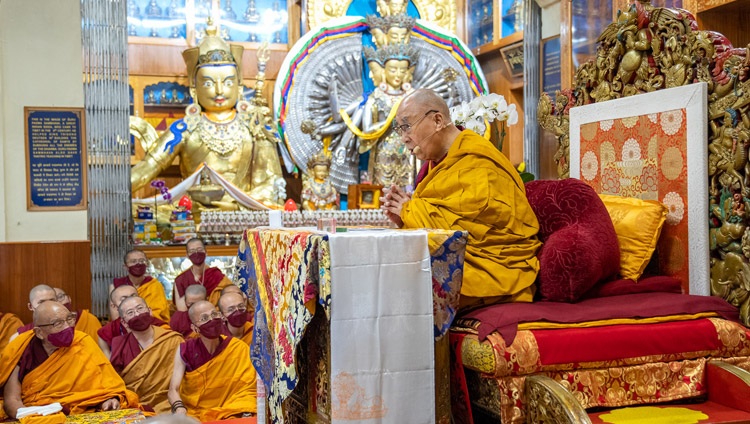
[(653, 147)]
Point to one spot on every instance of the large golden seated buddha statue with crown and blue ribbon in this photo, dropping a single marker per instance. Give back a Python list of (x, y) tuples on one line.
[(220, 130)]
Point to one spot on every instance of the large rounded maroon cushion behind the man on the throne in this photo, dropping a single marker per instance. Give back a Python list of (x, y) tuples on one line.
[(579, 241)]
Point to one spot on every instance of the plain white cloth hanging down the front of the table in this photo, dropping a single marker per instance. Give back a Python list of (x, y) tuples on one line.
[(382, 338)]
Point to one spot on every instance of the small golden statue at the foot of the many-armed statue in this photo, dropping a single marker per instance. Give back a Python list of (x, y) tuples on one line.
[(317, 191)]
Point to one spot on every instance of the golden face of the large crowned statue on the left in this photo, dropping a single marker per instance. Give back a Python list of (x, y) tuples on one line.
[(217, 87)]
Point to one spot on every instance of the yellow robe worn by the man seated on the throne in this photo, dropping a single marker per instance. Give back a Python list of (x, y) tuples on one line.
[(476, 189)]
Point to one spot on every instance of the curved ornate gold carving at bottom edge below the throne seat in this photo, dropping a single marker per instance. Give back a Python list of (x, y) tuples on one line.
[(549, 402)]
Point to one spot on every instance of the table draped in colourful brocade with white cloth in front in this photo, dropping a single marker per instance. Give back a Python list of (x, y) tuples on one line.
[(349, 325)]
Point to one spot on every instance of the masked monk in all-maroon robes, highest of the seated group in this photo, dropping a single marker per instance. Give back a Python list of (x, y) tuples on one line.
[(199, 273)]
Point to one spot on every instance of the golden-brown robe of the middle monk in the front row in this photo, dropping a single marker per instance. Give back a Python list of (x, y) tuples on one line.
[(149, 373)]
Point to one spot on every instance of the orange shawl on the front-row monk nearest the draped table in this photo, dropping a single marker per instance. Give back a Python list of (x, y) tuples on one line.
[(223, 387)]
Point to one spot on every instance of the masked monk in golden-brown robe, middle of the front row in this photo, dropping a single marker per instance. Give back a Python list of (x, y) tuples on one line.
[(144, 356)]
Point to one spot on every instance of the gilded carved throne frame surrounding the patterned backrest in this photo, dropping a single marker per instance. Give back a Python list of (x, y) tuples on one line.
[(649, 48)]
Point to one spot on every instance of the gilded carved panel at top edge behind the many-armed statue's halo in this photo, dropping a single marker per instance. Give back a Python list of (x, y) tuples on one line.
[(440, 12)]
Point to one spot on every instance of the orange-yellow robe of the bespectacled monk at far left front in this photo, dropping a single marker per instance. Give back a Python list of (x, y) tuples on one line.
[(79, 377)]
